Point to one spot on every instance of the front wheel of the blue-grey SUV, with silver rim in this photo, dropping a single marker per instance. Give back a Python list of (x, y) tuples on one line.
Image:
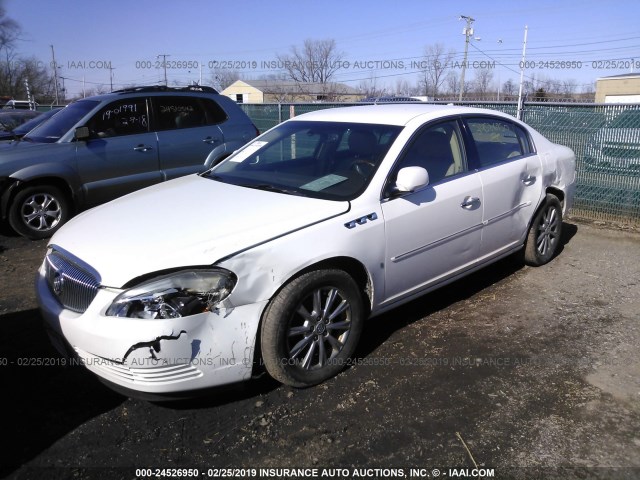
[(37, 211)]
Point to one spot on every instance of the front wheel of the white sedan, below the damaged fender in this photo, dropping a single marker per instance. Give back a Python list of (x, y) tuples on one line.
[(312, 327)]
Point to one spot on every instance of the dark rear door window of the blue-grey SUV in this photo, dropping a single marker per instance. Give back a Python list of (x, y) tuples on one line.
[(186, 112)]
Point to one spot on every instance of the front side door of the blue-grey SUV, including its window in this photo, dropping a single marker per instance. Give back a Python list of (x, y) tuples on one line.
[(121, 154)]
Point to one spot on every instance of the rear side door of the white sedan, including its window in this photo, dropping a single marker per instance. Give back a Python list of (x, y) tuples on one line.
[(511, 175)]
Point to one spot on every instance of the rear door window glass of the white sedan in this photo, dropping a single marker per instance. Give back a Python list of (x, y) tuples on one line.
[(497, 140)]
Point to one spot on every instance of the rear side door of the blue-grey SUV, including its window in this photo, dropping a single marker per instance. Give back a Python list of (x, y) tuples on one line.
[(188, 131)]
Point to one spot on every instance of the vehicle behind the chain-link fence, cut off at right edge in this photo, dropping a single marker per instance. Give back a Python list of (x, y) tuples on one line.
[(615, 148)]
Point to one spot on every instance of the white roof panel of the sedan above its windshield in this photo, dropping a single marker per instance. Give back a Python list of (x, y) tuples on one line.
[(393, 114)]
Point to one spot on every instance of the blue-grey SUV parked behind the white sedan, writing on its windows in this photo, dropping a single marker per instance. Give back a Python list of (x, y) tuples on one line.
[(102, 147)]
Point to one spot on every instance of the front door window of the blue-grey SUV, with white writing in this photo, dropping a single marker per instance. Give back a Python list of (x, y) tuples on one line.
[(124, 117)]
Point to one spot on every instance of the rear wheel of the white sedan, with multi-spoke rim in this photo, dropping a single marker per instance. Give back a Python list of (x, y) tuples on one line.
[(543, 238)]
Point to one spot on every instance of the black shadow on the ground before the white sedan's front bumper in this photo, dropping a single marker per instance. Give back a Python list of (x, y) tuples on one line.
[(43, 400)]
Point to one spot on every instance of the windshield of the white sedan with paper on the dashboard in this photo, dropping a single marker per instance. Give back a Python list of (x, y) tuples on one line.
[(328, 160)]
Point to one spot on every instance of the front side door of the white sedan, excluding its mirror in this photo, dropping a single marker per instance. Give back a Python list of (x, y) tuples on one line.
[(433, 233)]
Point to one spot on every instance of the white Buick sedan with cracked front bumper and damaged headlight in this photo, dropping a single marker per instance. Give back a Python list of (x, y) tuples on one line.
[(278, 255)]
